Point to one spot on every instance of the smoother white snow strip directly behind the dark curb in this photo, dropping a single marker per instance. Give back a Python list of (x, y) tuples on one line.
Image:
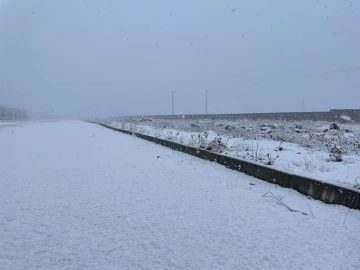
[(294, 159)]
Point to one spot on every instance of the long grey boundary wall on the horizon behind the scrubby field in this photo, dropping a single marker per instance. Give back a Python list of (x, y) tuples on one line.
[(330, 116)]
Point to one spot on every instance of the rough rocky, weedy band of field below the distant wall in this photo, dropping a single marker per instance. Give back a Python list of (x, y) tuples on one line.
[(317, 134)]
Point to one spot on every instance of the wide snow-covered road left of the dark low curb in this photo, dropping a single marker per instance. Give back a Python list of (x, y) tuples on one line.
[(75, 195)]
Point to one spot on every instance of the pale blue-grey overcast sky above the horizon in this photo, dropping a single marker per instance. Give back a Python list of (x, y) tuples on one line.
[(80, 58)]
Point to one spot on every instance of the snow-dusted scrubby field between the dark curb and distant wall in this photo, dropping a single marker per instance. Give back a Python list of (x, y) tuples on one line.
[(299, 148)]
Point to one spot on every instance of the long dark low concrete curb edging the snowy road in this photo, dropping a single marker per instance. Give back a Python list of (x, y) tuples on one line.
[(315, 189)]
